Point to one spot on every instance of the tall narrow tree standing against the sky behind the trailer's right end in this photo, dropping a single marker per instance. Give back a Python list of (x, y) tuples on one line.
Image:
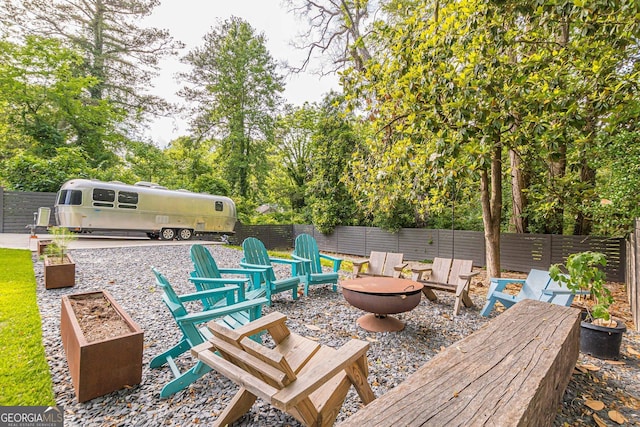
[(235, 89)]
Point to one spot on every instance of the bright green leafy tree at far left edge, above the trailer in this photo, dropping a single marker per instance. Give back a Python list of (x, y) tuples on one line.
[(45, 100)]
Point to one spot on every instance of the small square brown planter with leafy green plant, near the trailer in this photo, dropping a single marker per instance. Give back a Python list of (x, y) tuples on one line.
[(59, 268)]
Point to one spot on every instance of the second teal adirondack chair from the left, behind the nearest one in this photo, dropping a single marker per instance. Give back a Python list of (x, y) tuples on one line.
[(207, 275)]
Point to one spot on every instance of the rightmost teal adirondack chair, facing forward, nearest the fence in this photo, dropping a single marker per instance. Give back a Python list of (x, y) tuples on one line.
[(306, 250)]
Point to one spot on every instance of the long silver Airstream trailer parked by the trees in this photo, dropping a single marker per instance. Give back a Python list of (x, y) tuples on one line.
[(84, 205)]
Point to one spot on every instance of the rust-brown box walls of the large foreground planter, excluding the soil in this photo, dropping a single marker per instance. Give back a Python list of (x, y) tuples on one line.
[(103, 366)]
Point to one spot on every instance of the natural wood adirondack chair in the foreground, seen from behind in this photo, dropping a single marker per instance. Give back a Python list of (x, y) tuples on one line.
[(297, 376)]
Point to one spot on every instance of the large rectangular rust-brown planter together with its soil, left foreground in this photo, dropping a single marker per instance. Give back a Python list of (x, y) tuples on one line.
[(103, 345)]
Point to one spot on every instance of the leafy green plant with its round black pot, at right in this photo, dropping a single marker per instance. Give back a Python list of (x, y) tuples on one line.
[(600, 333)]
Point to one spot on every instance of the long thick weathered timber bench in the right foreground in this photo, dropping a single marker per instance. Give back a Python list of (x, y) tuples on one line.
[(511, 372)]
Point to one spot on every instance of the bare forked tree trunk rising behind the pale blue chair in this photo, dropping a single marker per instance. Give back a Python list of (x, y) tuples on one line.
[(491, 198)]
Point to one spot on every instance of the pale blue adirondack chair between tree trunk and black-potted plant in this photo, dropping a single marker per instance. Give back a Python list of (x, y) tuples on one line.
[(538, 285)]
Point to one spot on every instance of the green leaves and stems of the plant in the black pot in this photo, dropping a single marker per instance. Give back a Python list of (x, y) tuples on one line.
[(584, 273)]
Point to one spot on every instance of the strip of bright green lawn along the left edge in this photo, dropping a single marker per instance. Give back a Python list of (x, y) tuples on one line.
[(24, 374)]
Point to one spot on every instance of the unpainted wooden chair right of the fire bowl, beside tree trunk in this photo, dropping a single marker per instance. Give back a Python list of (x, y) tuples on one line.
[(447, 275)]
